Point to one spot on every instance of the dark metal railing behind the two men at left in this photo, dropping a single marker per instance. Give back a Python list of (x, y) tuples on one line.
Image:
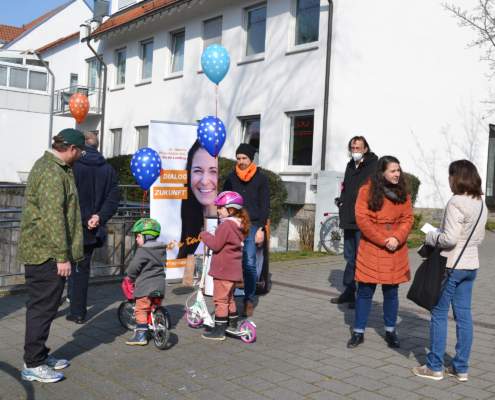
[(110, 259)]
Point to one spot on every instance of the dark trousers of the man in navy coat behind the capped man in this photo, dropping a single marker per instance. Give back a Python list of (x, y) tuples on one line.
[(80, 280)]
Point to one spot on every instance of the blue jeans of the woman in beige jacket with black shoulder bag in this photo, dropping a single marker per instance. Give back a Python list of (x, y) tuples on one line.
[(458, 291)]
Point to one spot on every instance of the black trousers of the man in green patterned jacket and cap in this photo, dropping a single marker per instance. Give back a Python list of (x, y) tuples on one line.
[(45, 288)]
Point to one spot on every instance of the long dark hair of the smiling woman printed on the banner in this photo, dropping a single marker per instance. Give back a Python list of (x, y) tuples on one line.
[(191, 211)]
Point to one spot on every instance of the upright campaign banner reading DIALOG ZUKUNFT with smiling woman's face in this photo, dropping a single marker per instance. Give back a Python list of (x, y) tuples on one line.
[(185, 192)]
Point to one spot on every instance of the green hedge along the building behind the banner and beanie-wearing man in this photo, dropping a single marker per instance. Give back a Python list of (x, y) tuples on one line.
[(121, 164)]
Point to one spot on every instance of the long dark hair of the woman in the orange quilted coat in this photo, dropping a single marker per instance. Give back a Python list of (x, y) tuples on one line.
[(377, 191)]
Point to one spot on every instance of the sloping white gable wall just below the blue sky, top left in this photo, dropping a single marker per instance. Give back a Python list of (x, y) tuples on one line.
[(61, 24)]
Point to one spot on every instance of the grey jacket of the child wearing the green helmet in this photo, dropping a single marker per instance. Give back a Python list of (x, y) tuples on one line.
[(147, 269)]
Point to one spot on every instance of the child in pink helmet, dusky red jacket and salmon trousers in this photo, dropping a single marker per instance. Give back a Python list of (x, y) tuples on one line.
[(226, 263)]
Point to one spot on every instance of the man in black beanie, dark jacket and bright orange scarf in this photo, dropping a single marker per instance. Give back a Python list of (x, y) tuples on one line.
[(253, 186)]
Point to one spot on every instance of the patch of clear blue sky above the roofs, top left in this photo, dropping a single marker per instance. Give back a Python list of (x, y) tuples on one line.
[(18, 12)]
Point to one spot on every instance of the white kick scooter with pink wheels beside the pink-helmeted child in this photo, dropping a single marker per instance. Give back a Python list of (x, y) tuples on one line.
[(198, 315)]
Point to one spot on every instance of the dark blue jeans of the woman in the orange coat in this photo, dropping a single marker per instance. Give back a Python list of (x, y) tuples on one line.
[(363, 305)]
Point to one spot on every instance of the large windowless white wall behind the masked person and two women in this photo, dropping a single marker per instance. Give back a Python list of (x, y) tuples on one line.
[(401, 69)]
